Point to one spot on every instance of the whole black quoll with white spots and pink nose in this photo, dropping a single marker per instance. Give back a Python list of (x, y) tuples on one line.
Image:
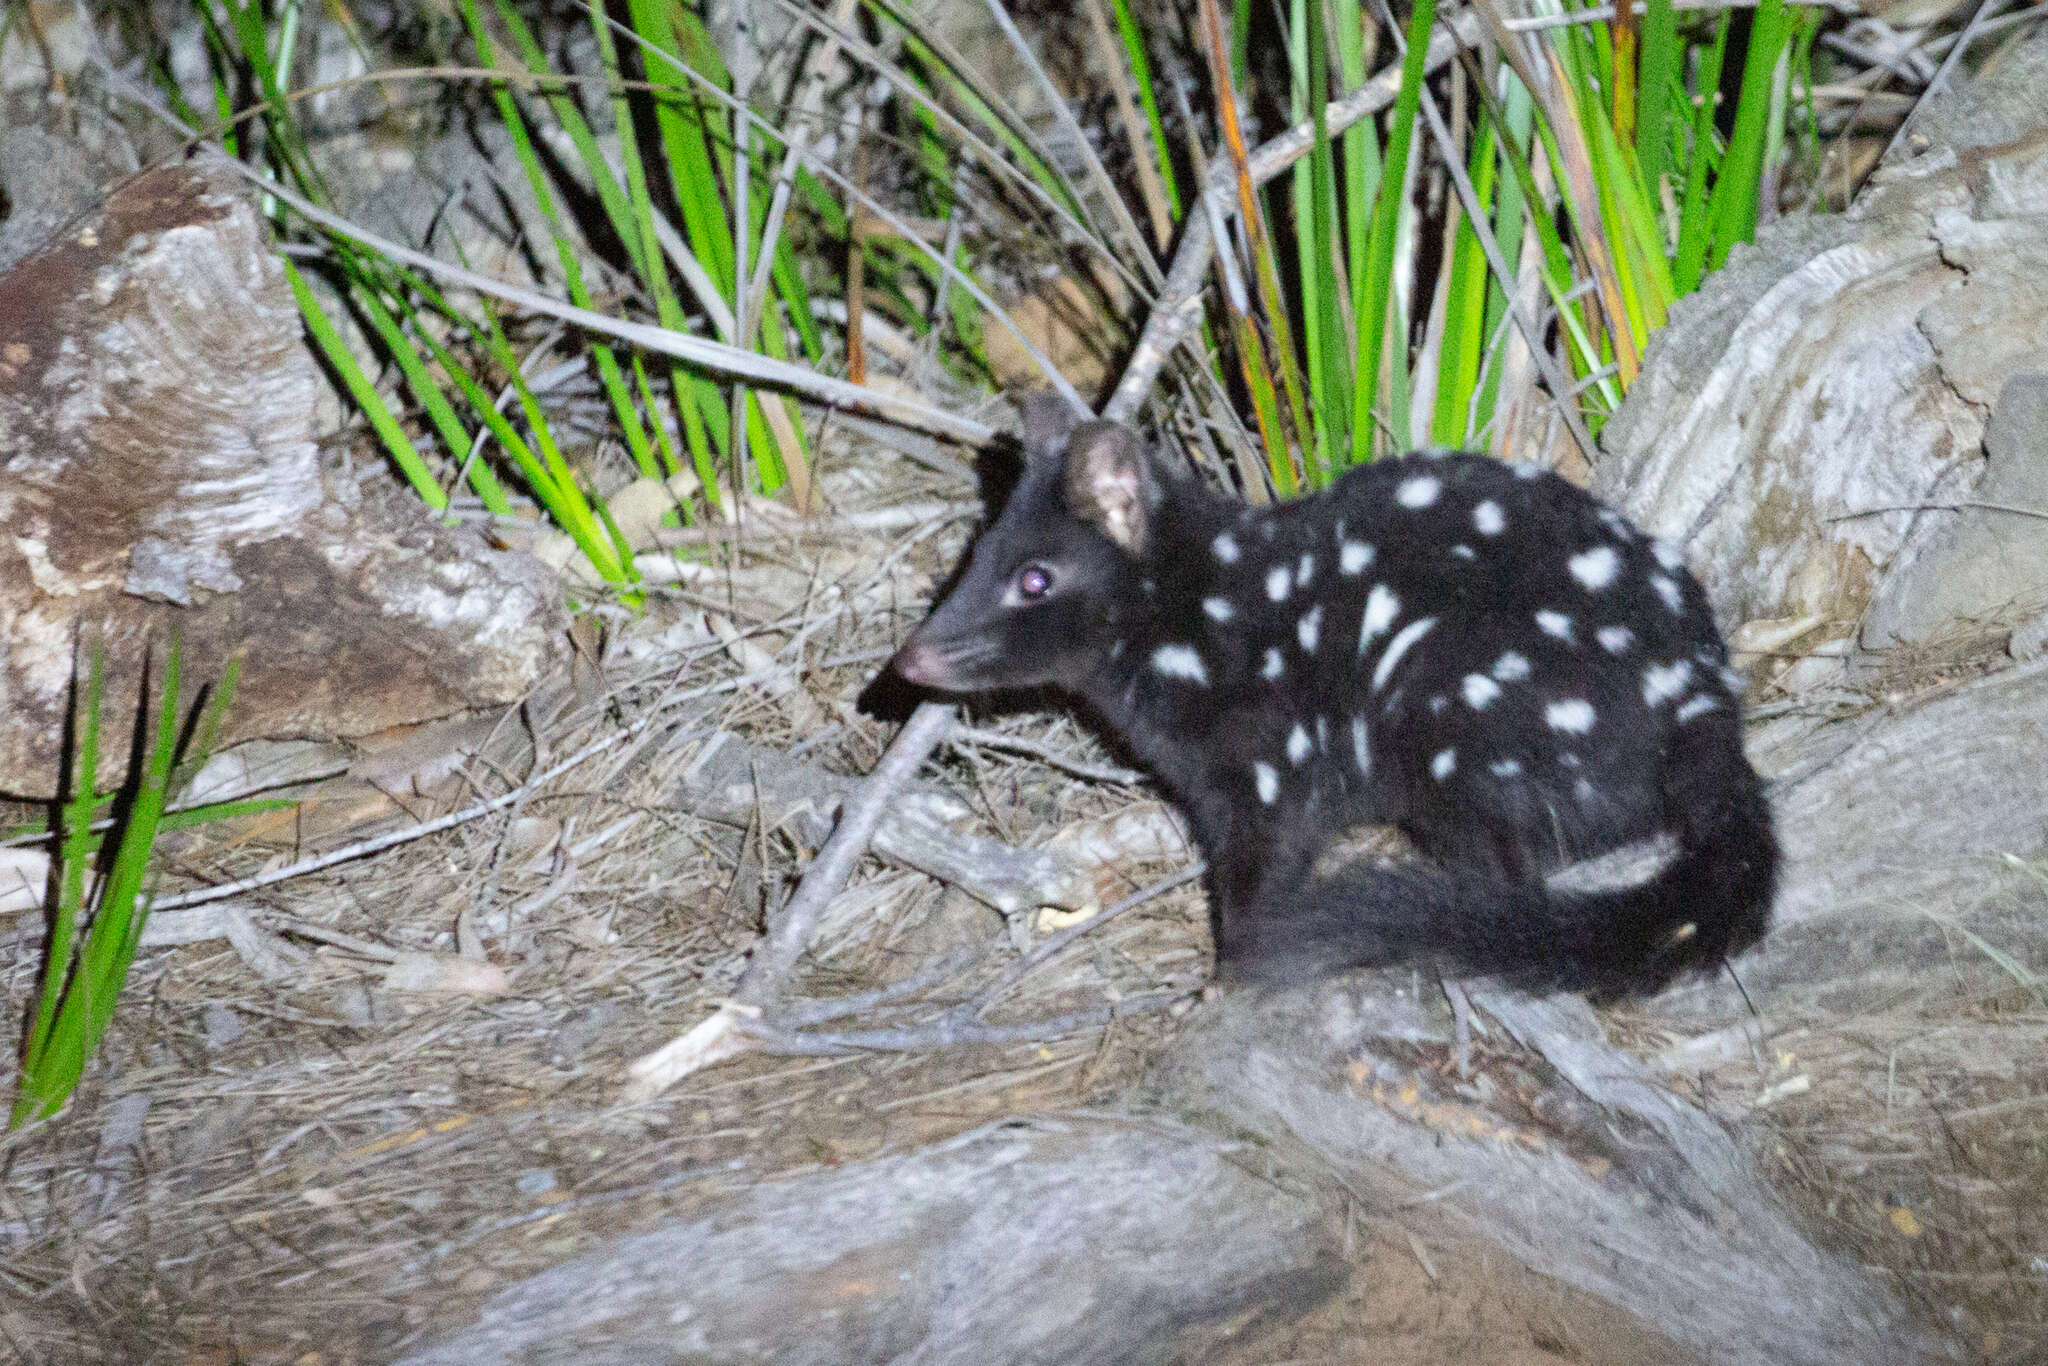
[(1474, 654)]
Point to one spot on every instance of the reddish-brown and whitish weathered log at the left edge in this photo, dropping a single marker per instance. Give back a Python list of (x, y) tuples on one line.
[(159, 476)]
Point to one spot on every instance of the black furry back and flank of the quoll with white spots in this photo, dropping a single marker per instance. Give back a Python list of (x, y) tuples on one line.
[(1453, 640)]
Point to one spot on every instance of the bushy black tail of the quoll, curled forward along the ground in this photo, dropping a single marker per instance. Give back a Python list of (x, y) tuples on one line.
[(1611, 927)]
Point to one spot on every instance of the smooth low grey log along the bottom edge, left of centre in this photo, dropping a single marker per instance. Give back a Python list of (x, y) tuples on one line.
[(1066, 1240)]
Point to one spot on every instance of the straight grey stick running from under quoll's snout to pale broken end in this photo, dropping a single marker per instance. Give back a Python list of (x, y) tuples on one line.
[(726, 1031)]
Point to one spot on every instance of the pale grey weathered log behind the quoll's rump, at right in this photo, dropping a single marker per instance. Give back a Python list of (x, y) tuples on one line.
[(1811, 423)]
